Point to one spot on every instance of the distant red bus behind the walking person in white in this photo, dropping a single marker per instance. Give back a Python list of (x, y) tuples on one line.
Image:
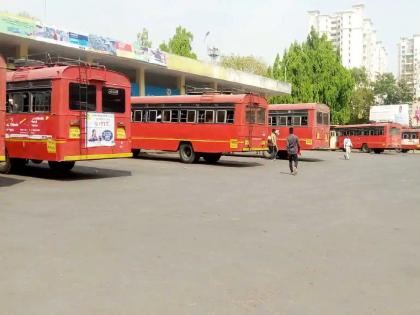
[(376, 137)]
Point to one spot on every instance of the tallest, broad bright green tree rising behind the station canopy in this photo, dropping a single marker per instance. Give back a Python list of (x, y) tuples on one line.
[(314, 69)]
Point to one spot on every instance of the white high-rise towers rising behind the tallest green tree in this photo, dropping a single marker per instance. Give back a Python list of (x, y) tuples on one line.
[(353, 35)]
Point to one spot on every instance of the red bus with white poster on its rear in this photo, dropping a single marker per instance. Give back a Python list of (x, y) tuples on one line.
[(63, 113)]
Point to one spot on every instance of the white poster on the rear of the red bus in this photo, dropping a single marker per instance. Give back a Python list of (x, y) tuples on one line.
[(100, 130)]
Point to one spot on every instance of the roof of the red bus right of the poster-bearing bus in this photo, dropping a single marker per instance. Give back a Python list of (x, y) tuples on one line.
[(205, 98)]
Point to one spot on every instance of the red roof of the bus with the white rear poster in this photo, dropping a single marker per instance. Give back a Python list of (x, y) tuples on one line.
[(67, 72)]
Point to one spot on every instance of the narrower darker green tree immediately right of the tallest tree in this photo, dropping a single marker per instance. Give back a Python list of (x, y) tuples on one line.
[(362, 97)]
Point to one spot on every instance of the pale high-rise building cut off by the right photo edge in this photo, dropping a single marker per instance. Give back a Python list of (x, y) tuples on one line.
[(409, 63)]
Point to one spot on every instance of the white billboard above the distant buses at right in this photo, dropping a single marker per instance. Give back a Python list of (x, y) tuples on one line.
[(390, 113)]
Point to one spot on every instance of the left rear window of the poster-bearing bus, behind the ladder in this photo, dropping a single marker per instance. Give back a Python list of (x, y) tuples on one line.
[(78, 97)]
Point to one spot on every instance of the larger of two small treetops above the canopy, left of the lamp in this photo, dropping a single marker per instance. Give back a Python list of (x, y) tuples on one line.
[(180, 44)]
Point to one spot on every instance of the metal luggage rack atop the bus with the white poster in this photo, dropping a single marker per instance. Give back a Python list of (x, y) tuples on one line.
[(48, 60)]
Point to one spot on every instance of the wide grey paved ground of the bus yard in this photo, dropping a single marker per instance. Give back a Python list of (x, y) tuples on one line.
[(154, 236)]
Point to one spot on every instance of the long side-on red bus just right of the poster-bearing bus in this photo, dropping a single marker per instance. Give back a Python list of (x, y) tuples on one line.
[(199, 125)]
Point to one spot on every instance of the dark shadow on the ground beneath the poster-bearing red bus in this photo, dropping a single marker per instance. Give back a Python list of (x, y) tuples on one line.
[(77, 173)]
